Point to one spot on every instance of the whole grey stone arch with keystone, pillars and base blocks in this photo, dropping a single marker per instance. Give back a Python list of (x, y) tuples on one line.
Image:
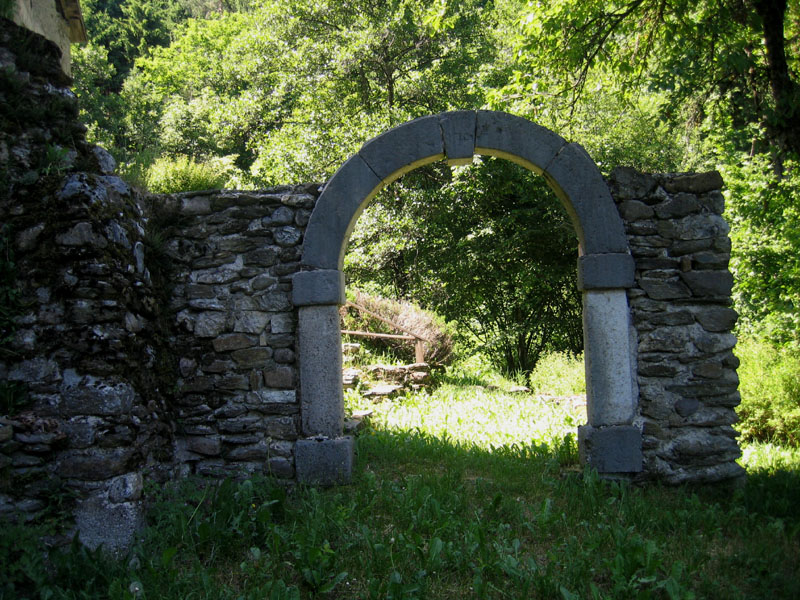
[(610, 442)]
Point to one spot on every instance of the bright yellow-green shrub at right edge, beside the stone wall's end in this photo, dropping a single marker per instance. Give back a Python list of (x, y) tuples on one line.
[(770, 388)]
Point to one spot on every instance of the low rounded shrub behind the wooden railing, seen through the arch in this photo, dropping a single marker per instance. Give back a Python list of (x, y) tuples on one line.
[(408, 316)]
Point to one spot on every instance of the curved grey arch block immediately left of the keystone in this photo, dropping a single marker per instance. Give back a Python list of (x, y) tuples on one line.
[(404, 148)]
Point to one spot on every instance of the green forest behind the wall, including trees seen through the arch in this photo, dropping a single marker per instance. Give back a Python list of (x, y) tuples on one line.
[(196, 94)]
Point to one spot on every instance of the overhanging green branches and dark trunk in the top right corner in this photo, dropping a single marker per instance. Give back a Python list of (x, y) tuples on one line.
[(741, 54)]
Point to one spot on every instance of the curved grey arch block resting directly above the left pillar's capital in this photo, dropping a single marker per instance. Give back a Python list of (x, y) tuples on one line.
[(336, 211)]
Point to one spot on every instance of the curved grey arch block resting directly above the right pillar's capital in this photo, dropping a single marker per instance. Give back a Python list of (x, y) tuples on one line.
[(574, 178)]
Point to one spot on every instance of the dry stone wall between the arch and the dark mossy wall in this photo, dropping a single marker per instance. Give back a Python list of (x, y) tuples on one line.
[(231, 257)]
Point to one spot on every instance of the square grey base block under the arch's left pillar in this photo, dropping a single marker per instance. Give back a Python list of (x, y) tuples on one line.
[(324, 461)]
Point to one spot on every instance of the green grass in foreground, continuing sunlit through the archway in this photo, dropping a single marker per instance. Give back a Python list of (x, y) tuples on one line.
[(470, 492)]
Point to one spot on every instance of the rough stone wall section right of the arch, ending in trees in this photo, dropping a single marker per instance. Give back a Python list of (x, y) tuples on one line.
[(681, 310)]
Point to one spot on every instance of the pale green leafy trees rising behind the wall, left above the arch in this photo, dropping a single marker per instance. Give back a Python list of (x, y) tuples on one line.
[(293, 88)]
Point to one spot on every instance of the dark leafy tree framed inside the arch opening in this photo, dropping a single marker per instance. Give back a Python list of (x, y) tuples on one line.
[(490, 249)]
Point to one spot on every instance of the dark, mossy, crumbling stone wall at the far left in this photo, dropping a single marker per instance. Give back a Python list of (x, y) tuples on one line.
[(83, 416)]
